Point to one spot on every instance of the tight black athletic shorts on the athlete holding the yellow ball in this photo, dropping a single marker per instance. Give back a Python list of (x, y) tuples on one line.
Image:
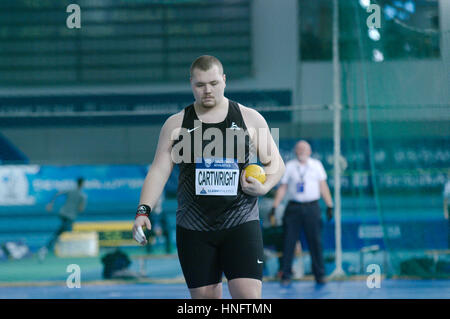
[(206, 255)]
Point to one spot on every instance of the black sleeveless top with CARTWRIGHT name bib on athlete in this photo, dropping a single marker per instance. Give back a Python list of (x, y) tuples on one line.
[(209, 193)]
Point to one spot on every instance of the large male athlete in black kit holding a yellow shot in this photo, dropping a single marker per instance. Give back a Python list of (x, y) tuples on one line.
[(218, 229)]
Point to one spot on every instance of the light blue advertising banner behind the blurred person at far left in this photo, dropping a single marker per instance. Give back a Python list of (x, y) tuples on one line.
[(107, 187)]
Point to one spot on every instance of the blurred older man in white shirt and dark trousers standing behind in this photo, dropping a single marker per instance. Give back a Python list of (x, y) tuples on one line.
[(305, 182)]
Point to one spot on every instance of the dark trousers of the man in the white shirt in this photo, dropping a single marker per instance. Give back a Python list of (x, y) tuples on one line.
[(306, 216)]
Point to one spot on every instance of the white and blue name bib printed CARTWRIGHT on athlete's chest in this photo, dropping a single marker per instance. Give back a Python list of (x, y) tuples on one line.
[(219, 177)]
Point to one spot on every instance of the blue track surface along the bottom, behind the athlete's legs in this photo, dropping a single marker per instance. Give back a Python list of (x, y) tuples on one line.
[(390, 289)]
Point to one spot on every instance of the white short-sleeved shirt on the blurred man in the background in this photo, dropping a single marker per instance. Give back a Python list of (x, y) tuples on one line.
[(313, 173)]
